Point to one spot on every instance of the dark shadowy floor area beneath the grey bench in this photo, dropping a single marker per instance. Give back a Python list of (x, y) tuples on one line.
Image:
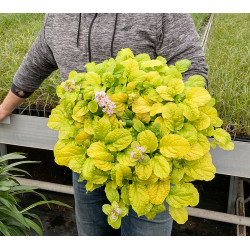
[(60, 221)]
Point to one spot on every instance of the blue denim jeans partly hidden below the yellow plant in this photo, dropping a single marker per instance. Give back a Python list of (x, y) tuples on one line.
[(91, 221)]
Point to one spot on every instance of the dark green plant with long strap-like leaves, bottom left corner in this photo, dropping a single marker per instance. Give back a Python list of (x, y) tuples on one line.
[(14, 220)]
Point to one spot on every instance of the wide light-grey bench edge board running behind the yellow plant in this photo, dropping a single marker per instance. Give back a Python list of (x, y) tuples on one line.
[(32, 131)]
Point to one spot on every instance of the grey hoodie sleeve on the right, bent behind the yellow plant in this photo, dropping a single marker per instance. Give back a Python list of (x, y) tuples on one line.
[(178, 39)]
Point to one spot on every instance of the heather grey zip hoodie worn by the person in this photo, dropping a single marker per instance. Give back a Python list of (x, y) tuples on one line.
[(68, 41)]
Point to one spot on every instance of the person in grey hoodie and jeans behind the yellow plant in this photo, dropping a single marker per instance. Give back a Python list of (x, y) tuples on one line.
[(67, 42)]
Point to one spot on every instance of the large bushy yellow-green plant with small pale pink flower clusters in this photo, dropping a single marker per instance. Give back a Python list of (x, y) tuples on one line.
[(133, 125)]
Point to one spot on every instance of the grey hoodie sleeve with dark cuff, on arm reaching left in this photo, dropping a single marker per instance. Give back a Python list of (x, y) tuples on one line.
[(37, 65)]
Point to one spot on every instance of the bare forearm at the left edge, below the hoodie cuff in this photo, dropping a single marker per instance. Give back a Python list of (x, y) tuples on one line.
[(10, 102)]
